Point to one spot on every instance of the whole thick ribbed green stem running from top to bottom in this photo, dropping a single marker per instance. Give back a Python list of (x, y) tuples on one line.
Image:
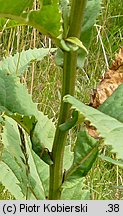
[(68, 87)]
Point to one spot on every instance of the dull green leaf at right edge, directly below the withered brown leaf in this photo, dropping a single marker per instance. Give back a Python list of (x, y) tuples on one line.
[(113, 105)]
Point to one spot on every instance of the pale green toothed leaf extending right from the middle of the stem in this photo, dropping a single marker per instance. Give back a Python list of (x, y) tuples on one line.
[(110, 129)]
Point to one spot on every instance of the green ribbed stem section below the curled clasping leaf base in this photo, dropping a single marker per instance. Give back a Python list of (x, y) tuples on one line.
[(60, 136)]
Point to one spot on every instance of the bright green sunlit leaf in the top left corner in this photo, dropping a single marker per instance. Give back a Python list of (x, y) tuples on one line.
[(47, 19)]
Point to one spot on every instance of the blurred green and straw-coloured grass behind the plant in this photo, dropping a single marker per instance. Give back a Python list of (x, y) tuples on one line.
[(43, 80)]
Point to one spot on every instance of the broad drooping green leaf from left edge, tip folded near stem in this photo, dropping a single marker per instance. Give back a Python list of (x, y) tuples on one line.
[(14, 98)]
